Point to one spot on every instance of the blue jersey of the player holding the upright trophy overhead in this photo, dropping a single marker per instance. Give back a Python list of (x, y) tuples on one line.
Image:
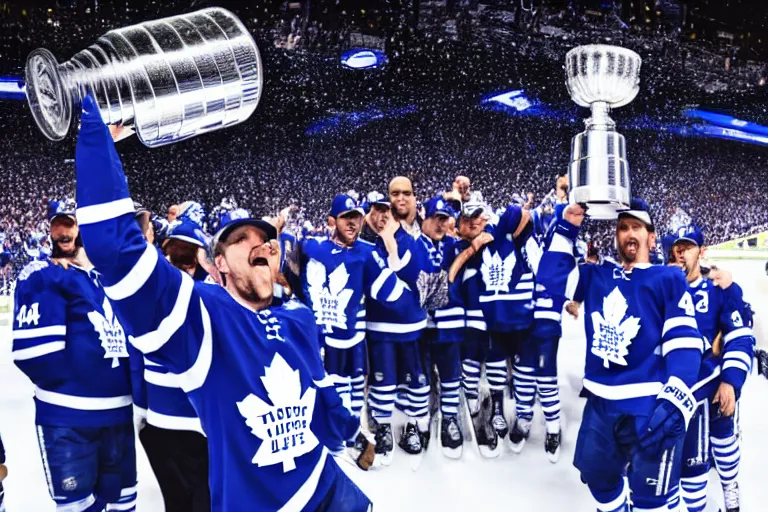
[(640, 325)]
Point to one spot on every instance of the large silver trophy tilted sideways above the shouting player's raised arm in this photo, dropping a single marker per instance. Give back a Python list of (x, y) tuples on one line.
[(169, 79)]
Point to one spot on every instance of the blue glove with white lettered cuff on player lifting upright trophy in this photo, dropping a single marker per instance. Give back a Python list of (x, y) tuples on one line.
[(675, 406)]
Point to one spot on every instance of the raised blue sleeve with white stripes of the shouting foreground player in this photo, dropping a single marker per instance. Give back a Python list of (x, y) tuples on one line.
[(168, 321)]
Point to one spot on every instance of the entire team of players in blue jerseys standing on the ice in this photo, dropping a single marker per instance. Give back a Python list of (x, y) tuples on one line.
[(410, 307)]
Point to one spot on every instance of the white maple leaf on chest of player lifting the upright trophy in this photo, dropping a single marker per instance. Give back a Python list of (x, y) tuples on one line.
[(613, 334)]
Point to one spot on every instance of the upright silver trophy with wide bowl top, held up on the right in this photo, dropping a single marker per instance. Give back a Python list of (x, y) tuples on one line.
[(601, 77)]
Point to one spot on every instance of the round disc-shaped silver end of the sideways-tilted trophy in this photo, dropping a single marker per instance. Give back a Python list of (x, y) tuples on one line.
[(47, 96)]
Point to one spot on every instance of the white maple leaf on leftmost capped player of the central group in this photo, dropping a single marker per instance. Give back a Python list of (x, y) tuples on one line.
[(329, 301)]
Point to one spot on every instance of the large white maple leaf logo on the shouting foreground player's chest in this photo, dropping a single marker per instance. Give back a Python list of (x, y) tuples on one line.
[(284, 426)]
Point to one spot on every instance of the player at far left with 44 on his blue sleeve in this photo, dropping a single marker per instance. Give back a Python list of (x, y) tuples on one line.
[(68, 341)]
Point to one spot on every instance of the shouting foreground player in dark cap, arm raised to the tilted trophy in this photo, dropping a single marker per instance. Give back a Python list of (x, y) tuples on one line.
[(253, 373)]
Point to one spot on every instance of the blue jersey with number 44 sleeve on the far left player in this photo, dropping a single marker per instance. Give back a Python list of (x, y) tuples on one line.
[(68, 341)]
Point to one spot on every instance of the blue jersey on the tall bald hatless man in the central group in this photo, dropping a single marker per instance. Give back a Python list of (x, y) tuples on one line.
[(403, 319)]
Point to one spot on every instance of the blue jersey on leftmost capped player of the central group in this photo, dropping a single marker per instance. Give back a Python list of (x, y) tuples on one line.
[(336, 280)]
